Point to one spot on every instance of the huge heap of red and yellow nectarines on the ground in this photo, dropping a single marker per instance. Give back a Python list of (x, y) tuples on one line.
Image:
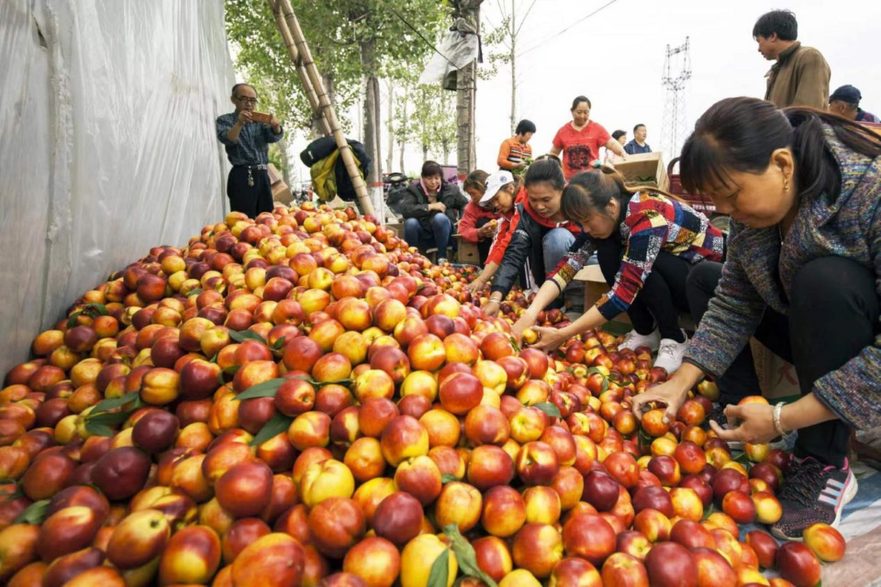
[(302, 399)]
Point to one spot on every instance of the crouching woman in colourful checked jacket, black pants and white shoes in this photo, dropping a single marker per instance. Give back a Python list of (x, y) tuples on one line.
[(647, 243)]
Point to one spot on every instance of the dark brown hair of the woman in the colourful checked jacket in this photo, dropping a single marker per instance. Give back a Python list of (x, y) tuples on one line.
[(590, 192)]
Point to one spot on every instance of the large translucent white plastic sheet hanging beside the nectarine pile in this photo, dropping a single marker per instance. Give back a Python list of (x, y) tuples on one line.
[(107, 145)]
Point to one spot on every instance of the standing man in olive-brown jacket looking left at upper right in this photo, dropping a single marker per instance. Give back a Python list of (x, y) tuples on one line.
[(801, 75)]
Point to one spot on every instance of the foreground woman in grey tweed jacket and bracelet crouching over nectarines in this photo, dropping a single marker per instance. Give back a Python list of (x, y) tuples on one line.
[(803, 275)]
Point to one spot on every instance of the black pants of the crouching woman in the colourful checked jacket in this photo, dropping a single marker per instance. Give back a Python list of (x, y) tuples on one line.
[(662, 296)]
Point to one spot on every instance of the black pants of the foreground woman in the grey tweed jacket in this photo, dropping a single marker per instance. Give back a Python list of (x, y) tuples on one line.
[(833, 315)]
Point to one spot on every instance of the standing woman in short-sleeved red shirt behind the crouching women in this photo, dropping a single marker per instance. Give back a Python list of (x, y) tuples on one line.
[(578, 142)]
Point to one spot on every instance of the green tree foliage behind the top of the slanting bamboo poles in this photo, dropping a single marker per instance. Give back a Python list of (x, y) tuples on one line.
[(336, 32)]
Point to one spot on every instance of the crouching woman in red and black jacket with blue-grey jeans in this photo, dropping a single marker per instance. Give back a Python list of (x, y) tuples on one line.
[(540, 236)]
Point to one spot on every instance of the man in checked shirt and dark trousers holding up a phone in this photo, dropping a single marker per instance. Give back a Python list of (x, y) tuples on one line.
[(247, 147)]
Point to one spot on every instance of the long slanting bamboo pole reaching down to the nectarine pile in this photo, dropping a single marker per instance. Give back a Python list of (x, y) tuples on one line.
[(325, 108)]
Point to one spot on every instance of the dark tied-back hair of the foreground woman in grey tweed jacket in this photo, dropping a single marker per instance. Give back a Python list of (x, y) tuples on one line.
[(741, 134)]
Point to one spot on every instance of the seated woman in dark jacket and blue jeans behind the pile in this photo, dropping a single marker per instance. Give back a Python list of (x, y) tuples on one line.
[(429, 208)]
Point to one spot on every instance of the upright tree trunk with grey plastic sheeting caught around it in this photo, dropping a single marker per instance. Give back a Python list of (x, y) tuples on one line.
[(466, 98)]
